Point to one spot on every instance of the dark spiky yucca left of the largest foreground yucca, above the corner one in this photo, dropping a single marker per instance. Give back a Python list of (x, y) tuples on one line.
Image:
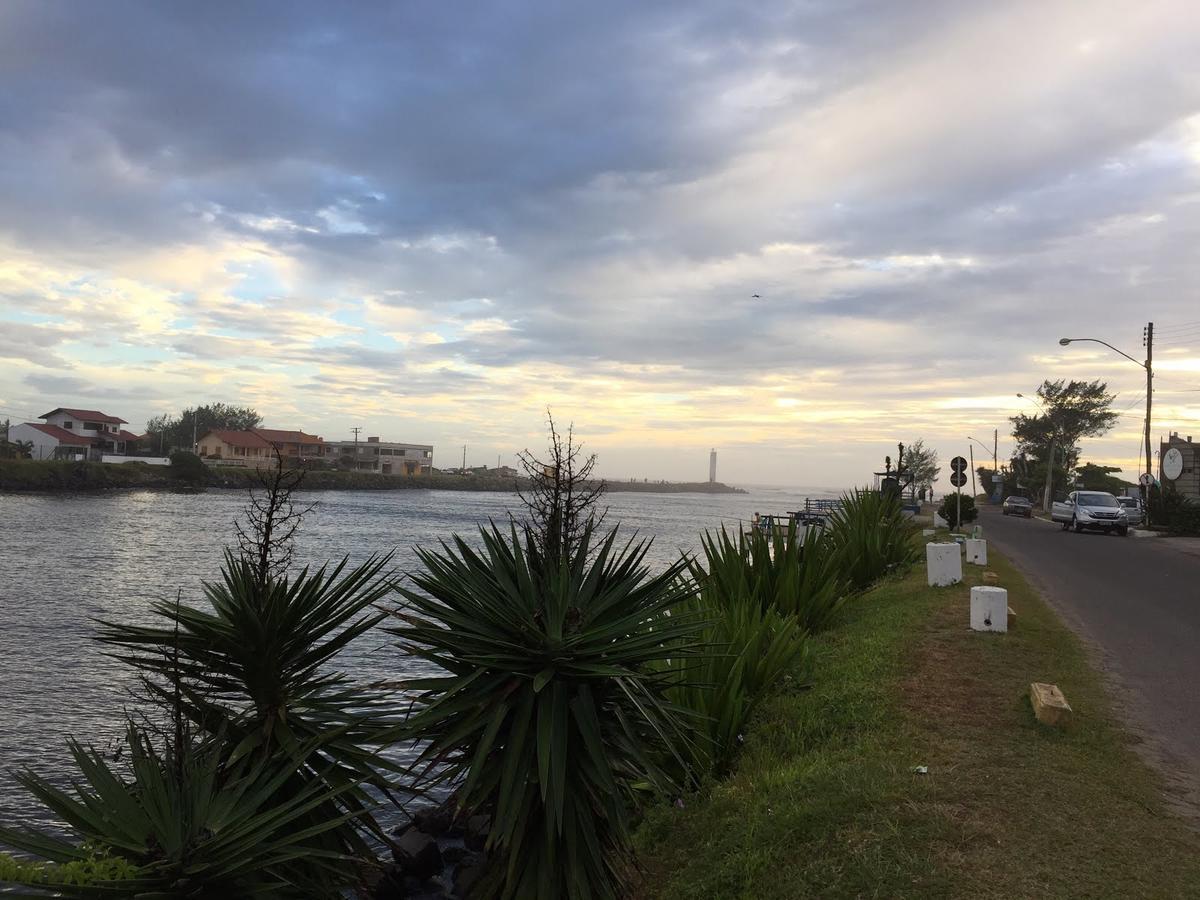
[(257, 669)]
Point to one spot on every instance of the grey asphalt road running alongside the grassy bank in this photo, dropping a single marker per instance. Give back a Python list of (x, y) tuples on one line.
[(1137, 602)]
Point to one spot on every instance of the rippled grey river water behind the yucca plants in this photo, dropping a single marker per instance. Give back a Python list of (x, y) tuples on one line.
[(65, 561)]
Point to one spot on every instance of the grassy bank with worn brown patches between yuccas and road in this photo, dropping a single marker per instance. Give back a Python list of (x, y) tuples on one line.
[(825, 803)]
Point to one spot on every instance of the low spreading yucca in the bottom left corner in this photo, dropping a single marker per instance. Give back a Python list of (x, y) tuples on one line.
[(181, 824)]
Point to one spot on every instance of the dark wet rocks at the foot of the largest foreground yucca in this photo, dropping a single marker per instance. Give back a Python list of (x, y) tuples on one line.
[(440, 854)]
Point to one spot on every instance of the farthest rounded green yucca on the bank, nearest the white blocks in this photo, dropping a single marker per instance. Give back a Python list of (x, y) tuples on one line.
[(871, 537)]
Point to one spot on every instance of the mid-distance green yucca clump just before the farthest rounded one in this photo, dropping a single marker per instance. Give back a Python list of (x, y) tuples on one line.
[(787, 571)]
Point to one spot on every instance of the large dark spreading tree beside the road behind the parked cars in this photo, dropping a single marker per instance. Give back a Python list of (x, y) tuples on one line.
[(1070, 412)]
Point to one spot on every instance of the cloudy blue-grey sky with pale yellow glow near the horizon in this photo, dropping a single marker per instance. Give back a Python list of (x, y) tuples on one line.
[(795, 232)]
